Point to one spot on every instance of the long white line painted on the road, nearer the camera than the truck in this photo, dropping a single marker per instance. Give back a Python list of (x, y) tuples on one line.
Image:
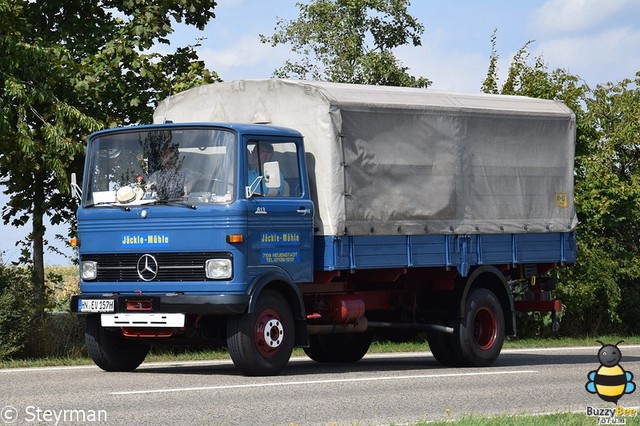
[(316, 382)]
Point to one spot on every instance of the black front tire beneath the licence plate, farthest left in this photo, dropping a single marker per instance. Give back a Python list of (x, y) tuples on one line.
[(110, 350)]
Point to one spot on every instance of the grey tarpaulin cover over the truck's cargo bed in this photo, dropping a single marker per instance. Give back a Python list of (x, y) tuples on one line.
[(390, 160)]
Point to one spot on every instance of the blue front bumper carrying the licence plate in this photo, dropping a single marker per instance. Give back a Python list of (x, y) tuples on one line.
[(210, 304)]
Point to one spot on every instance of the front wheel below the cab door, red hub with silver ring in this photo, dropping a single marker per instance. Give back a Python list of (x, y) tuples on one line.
[(260, 343)]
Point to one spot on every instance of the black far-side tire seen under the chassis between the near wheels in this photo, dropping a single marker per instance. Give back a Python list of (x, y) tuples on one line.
[(332, 348)]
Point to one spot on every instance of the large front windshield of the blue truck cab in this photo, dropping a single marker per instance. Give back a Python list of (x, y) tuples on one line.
[(188, 165)]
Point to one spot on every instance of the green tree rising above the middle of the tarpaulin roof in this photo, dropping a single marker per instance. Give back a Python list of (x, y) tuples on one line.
[(349, 41)]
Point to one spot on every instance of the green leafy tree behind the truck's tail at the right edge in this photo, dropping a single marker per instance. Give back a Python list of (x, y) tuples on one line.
[(608, 198)]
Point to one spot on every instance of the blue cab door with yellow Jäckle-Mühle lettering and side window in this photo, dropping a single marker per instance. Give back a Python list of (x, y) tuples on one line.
[(280, 218)]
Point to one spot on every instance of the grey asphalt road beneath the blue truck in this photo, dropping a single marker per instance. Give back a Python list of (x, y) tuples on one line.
[(379, 390)]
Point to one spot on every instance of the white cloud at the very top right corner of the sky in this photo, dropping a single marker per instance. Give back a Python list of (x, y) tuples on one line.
[(575, 15)]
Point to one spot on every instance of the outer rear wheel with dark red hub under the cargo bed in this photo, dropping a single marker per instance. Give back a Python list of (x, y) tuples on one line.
[(477, 339)]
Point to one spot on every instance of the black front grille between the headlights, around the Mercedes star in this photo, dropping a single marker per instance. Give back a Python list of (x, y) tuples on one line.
[(123, 267)]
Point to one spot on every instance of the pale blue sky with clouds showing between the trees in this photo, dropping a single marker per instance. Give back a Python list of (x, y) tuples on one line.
[(599, 40)]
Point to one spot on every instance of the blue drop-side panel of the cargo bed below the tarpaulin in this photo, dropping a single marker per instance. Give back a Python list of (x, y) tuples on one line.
[(460, 251)]
